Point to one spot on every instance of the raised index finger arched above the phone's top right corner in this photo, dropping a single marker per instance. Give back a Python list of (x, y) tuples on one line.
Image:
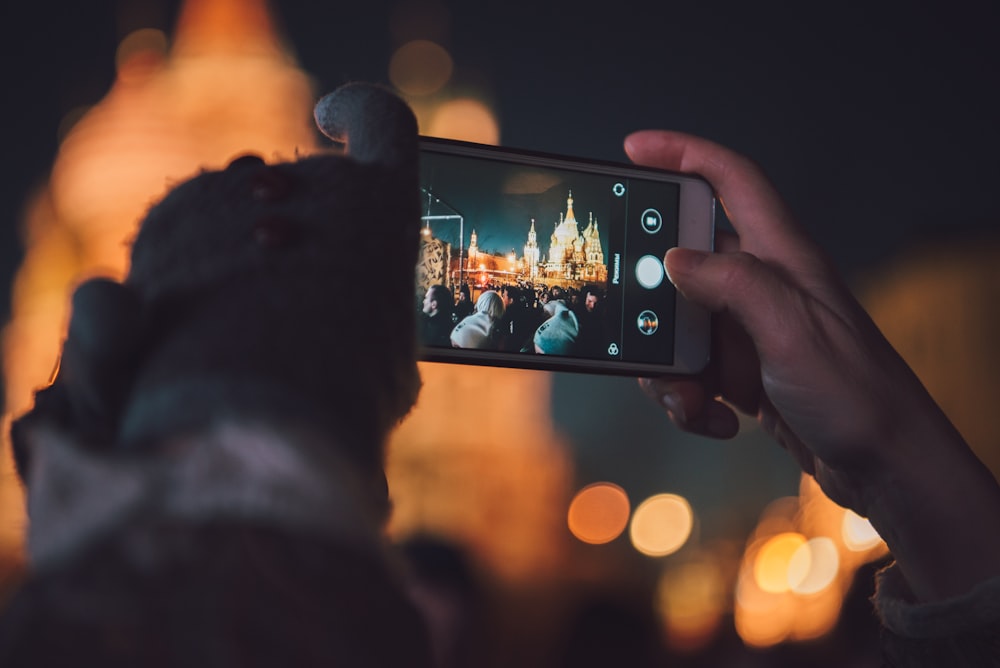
[(752, 204)]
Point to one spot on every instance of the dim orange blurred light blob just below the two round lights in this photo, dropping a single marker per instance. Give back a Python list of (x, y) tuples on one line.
[(691, 600)]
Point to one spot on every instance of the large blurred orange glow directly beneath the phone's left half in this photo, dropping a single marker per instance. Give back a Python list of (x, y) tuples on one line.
[(479, 460)]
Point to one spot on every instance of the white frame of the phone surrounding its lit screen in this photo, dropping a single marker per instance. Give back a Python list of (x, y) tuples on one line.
[(696, 229)]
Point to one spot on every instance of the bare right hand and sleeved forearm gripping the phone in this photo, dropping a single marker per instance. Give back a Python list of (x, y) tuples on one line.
[(793, 348)]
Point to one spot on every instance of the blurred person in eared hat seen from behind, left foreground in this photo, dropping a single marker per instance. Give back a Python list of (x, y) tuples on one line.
[(204, 476)]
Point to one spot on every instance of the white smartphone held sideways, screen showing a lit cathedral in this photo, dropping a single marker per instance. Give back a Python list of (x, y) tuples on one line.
[(539, 261)]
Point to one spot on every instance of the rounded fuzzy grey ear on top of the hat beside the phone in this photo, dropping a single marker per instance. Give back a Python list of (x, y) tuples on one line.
[(374, 124)]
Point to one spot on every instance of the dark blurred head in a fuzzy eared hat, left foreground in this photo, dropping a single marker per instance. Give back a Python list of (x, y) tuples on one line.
[(228, 298)]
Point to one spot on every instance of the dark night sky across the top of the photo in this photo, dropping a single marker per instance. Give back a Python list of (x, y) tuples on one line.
[(879, 124)]
